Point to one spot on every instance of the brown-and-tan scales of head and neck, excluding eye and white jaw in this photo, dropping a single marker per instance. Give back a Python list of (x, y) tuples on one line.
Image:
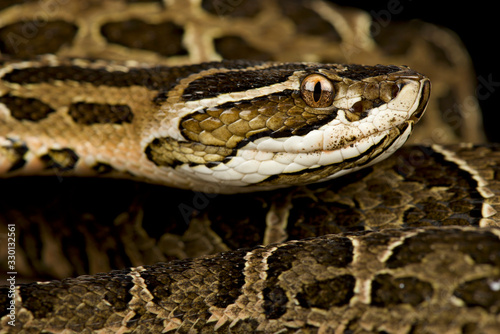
[(137, 117)]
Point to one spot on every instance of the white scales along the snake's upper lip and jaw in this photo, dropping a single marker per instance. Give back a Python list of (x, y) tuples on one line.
[(333, 143)]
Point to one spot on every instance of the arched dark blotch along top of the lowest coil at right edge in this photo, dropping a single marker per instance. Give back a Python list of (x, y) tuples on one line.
[(482, 247)]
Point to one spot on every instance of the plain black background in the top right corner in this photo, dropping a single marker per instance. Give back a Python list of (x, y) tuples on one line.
[(477, 23)]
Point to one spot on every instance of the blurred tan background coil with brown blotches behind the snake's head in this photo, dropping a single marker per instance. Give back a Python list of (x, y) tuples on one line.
[(187, 32)]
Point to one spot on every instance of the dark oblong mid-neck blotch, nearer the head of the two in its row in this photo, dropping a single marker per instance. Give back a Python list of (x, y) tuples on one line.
[(94, 113)]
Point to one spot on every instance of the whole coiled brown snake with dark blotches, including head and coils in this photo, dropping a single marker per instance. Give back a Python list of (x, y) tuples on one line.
[(297, 213)]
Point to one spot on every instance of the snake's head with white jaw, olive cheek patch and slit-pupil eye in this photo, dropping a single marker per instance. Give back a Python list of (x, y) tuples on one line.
[(275, 125)]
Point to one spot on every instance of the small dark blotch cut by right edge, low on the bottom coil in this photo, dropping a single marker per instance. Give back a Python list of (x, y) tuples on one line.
[(480, 293)]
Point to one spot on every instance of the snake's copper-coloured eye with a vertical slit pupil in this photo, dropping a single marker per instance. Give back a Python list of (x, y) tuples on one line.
[(317, 91)]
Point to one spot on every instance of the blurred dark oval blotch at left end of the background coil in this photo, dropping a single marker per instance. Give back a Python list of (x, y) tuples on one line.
[(28, 38)]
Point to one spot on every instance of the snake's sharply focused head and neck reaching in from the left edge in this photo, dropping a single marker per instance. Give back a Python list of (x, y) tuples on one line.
[(197, 126)]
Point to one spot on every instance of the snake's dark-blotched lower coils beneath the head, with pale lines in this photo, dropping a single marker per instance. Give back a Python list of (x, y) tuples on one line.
[(432, 266)]
